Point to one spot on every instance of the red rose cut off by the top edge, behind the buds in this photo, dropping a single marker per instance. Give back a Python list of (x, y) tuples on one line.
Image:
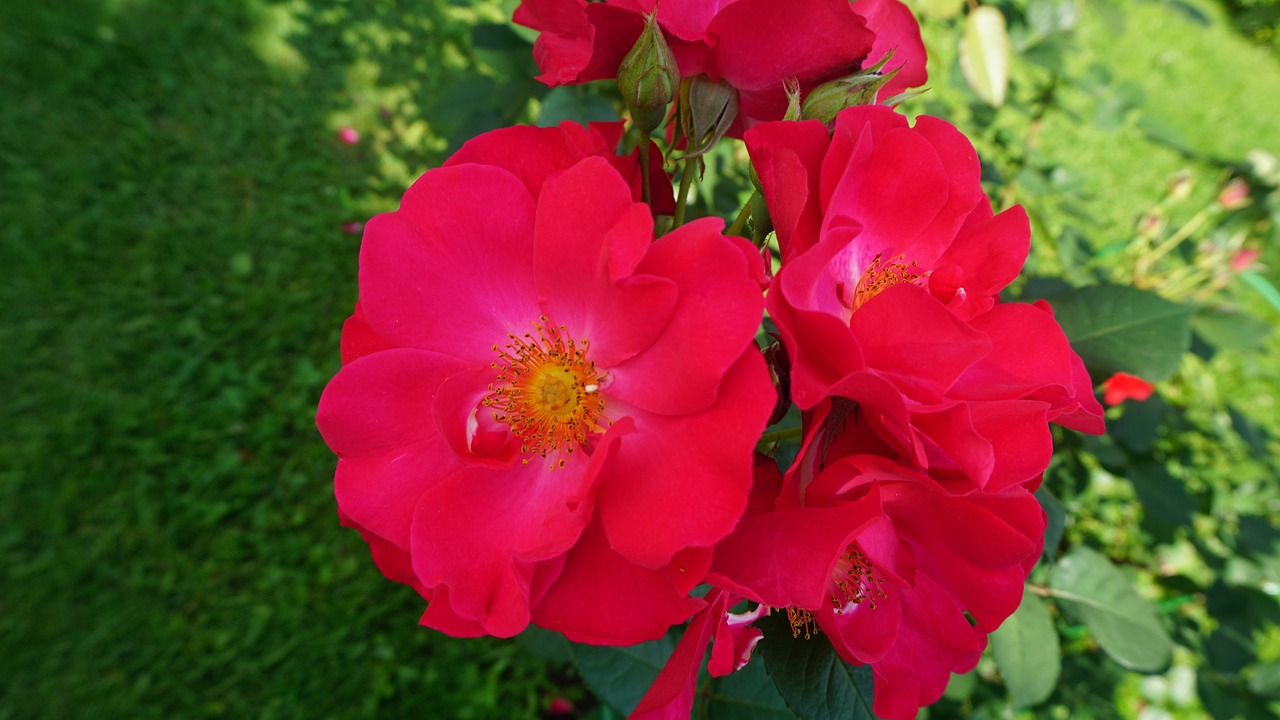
[(755, 45)]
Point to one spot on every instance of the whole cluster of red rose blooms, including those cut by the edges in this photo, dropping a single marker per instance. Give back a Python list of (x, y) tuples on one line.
[(547, 416)]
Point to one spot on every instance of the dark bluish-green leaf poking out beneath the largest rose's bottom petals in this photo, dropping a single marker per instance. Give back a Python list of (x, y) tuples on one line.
[(621, 676)]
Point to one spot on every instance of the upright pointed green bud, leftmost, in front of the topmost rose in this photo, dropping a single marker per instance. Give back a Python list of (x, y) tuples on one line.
[(648, 78)]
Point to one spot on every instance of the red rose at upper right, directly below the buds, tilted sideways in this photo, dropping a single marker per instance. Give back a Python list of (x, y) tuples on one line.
[(889, 297)]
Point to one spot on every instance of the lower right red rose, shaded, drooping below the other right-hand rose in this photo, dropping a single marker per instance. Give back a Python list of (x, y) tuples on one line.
[(889, 567)]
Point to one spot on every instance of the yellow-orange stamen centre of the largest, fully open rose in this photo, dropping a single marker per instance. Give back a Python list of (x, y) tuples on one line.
[(548, 393)]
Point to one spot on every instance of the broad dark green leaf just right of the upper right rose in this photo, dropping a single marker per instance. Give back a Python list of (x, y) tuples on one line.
[(1118, 329)]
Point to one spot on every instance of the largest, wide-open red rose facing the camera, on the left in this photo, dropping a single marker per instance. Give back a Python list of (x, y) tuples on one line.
[(538, 395)]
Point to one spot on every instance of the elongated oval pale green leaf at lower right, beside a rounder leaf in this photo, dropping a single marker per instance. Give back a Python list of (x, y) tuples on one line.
[(1124, 623)]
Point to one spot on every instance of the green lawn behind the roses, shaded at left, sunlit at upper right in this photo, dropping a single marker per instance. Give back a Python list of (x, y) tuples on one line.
[(175, 277)]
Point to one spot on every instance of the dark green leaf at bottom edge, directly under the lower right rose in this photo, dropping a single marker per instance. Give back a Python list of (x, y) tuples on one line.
[(813, 681)]
